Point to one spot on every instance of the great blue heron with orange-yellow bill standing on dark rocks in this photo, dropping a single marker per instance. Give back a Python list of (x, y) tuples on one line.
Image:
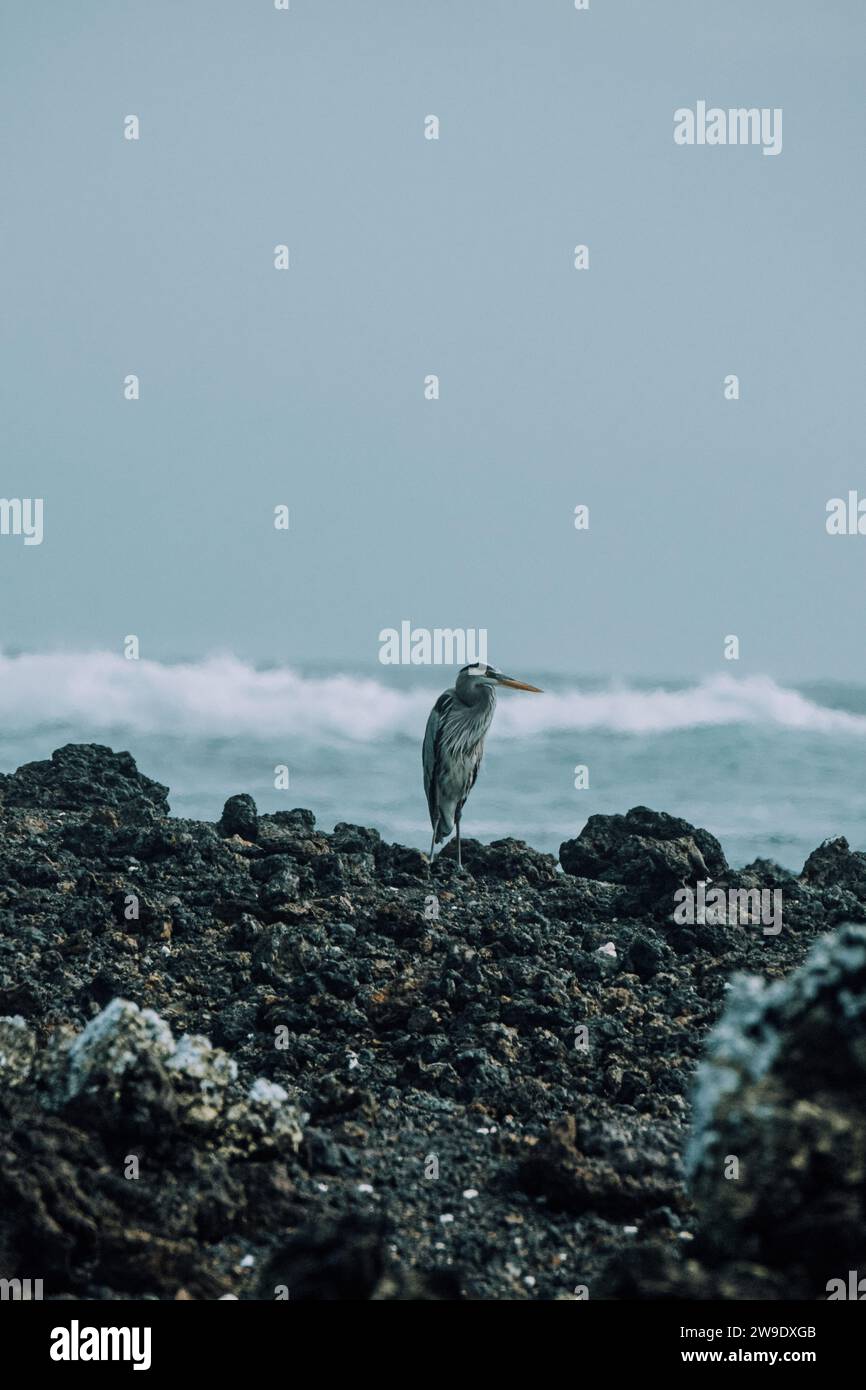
[(454, 744)]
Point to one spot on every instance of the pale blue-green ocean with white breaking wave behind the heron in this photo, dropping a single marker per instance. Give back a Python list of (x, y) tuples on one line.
[(772, 771)]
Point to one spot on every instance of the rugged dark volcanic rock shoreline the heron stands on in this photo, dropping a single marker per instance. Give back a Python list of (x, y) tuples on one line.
[(252, 1060)]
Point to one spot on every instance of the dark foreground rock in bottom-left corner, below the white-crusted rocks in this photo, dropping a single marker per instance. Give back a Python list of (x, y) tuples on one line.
[(70, 1210)]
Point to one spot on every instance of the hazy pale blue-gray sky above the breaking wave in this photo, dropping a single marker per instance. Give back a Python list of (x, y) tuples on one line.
[(412, 256)]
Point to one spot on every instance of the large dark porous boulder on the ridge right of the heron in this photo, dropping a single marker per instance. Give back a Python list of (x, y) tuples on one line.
[(648, 850)]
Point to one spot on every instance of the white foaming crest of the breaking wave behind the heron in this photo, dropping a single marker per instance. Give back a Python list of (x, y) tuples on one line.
[(224, 697)]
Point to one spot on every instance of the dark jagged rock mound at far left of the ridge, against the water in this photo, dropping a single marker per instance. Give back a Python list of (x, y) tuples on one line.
[(83, 776)]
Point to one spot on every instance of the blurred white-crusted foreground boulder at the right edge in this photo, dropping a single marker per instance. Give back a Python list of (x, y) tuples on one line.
[(778, 1156)]
